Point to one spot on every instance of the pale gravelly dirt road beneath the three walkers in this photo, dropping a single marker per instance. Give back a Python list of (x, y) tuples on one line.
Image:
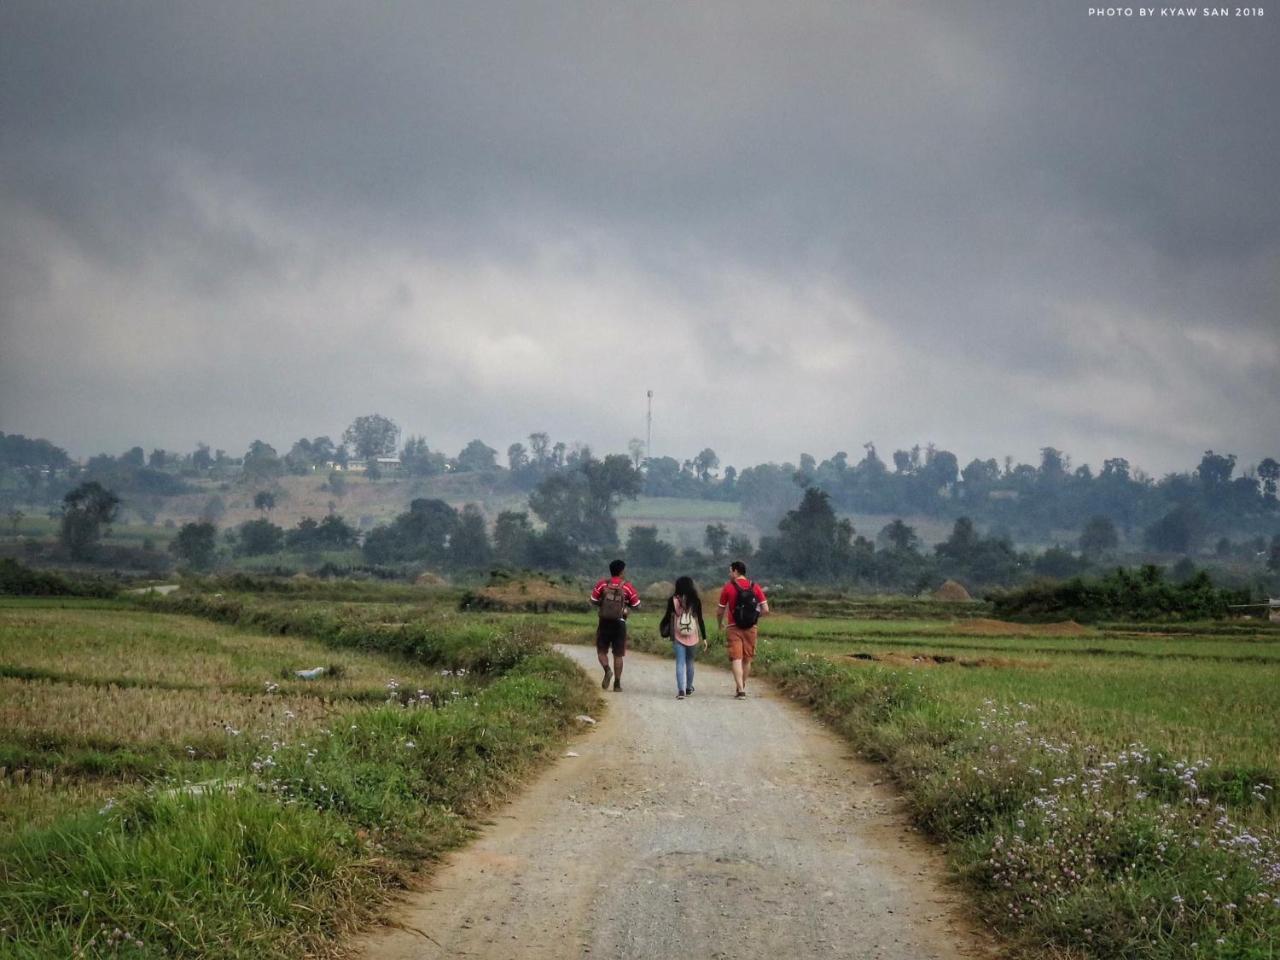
[(706, 828)]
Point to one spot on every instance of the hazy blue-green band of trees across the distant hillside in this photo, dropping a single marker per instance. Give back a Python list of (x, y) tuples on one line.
[(573, 495)]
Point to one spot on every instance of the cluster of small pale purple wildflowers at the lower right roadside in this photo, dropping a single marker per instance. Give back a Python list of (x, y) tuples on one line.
[(1119, 853)]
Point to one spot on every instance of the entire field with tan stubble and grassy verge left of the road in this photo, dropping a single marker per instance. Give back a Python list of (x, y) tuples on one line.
[(171, 787)]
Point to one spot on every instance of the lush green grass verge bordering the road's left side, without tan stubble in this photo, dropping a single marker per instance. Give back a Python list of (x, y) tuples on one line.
[(296, 835)]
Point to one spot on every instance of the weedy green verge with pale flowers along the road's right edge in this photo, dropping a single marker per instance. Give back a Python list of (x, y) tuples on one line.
[(1104, 853)]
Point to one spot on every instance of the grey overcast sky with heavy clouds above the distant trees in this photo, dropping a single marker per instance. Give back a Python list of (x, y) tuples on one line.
[(994, 226)]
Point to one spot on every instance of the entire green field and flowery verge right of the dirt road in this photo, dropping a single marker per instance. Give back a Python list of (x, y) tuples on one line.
[(1078, 838)]
